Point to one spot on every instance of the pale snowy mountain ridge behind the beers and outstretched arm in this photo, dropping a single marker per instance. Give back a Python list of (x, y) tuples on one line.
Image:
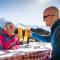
[(33, 26)]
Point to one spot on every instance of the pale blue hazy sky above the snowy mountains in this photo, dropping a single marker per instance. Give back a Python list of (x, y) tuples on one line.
[(26, 11)]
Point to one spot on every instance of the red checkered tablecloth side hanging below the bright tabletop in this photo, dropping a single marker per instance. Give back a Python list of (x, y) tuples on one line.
[(36, 55)]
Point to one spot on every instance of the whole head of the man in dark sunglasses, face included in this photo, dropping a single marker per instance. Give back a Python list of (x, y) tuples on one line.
[(51, 15)]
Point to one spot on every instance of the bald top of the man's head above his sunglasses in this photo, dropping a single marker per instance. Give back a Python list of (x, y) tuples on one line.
[(52, 11)]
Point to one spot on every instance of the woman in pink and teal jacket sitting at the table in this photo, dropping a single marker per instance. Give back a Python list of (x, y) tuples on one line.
[(8, 40)]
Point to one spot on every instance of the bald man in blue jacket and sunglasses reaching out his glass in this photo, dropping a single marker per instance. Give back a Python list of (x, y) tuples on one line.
[(51, 17)]
